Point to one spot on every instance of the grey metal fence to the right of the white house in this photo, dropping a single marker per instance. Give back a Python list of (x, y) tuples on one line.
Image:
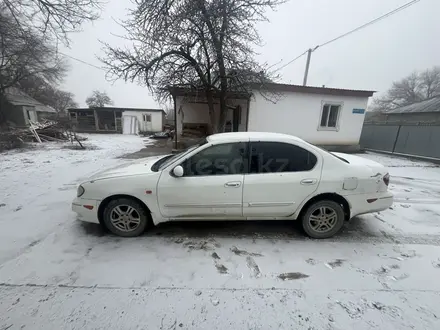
[(415, 140)]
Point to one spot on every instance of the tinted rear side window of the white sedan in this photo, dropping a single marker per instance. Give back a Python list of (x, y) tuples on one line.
[(276, 157)]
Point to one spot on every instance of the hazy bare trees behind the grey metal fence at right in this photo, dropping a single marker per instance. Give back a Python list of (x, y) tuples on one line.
[(416, 87)]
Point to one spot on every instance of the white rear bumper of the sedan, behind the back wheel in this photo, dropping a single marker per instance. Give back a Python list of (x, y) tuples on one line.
[(369, 203)]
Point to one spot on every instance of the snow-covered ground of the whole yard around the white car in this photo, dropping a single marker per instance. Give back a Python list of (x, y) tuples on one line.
[(57, 273)]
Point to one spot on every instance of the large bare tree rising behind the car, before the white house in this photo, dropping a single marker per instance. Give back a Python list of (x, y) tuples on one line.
[(205, 45)]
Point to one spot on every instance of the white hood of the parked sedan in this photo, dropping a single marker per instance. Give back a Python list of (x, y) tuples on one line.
[(141, 166)]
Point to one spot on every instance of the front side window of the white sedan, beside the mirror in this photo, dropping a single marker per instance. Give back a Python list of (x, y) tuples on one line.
[(220, 159)]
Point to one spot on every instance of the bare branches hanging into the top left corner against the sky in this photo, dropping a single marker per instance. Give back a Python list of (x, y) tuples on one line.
[(53, 18)]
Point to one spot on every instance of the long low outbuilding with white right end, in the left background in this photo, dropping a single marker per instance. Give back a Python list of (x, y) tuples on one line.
[(117, 120)]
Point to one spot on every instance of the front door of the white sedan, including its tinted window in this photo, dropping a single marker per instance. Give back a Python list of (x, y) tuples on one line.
[(211, 187)]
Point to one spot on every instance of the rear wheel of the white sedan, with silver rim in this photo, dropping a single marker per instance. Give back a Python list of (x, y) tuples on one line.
[(323, 219)]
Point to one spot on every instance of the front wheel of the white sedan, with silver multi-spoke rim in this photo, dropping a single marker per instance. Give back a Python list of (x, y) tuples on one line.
[(126, 217)]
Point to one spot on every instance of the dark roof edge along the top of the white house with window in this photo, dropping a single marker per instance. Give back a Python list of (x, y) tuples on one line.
[(312, 90)]
